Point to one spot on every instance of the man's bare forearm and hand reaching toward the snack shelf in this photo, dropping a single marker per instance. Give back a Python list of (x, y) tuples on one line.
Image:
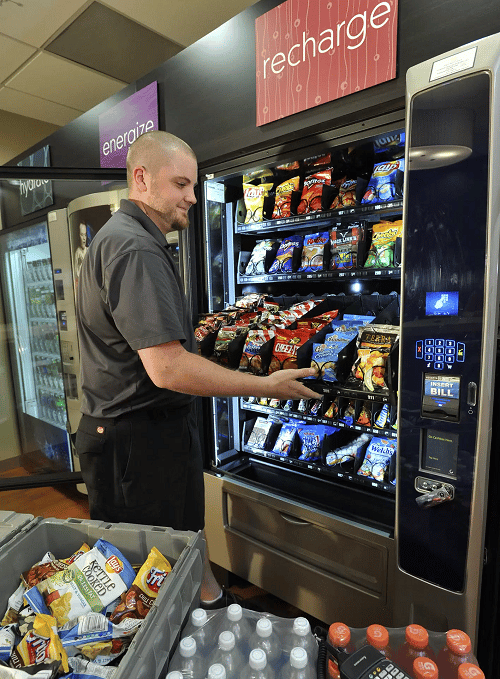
[(170, 366)]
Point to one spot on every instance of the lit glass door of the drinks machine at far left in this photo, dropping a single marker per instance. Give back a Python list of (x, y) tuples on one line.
[(29, 296)]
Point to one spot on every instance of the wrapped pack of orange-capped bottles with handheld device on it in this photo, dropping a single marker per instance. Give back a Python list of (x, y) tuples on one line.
[(412, 651)]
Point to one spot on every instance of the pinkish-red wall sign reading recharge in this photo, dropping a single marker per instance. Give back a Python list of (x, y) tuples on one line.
[(309, 52)]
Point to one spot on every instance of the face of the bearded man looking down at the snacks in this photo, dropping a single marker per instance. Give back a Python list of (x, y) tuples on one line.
[(171, 191)]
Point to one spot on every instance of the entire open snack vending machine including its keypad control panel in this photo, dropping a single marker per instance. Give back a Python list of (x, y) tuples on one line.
[(371, 504)]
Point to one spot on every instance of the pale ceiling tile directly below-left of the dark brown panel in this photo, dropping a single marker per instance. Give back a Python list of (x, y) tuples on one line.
[(50, 77)]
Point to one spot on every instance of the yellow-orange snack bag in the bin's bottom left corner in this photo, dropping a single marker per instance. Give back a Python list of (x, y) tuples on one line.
[(39, 645)]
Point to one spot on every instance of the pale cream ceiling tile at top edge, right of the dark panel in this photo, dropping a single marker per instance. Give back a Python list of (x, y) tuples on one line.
[(183, 21)]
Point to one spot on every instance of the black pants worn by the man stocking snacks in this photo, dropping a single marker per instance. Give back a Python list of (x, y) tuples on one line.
[(143, 468)]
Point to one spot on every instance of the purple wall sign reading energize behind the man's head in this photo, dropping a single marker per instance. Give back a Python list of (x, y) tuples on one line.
[(121, 125)]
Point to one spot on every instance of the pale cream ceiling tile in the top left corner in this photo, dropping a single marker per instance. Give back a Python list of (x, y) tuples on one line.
[(36, 20)]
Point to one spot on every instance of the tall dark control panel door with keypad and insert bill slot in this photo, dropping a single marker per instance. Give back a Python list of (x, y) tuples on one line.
[(448, 336)]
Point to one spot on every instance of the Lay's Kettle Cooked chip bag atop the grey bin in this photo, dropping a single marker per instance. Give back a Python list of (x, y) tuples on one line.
[(90, 583)]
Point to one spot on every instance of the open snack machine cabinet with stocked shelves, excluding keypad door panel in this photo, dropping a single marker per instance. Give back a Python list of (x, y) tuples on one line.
[(303, 252)]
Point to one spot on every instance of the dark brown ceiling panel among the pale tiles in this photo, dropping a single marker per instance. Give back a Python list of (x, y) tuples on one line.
[(118, 53)]
